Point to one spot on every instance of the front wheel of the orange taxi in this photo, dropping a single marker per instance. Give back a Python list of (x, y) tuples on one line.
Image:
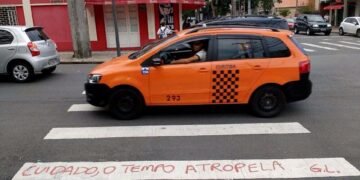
[(126, 104)]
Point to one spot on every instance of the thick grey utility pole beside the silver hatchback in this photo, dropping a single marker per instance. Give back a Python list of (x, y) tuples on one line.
[(79, 29)]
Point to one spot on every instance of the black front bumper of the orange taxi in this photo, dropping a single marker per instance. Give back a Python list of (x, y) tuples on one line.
[(97, 94)]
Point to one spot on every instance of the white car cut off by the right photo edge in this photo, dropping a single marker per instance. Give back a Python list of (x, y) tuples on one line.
[(350, 25)]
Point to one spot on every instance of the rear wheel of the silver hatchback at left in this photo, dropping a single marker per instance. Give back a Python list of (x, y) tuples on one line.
[(21, 71)]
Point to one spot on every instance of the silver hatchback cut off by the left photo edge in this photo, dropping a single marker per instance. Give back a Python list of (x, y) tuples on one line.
[(25, 51)]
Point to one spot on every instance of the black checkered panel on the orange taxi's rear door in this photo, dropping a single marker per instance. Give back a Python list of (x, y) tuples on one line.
[(225, 86)]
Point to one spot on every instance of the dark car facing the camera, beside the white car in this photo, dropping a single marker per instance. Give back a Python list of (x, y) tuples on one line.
[(312, 23)]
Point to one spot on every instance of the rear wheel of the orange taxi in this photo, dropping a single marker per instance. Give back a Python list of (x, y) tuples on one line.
[(268, 101)]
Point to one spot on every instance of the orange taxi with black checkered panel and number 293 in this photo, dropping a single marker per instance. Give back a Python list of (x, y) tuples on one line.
[(265, 68)]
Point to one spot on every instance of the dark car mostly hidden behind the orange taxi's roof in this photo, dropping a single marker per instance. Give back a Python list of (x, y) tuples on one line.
[(258, 21)]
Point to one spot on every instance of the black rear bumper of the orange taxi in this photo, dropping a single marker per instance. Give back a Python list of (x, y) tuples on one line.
[(298, 90)]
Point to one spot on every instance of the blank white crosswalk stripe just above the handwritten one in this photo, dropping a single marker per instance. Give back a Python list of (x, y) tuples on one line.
[(175, 130)]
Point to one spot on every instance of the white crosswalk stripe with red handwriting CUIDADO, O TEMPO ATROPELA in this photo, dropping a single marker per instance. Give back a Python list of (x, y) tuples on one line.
[(209, 169)]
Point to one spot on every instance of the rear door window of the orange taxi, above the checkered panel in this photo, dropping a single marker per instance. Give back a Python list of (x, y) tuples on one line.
[(240, 48)]
